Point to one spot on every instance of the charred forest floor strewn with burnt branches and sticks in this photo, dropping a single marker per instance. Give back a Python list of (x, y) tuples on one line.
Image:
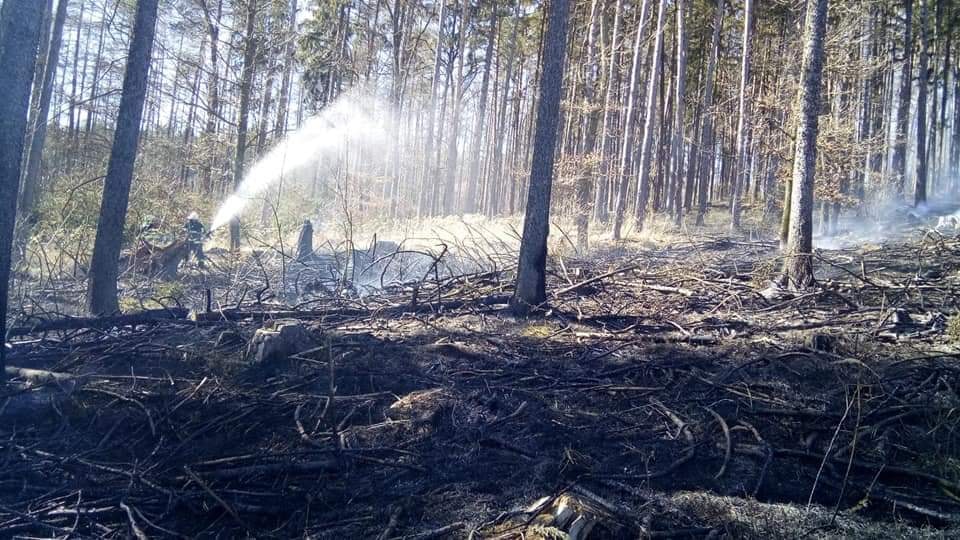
[(666, 392)]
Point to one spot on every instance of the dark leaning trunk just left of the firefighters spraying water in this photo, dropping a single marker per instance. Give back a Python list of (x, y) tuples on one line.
[(102, 286)]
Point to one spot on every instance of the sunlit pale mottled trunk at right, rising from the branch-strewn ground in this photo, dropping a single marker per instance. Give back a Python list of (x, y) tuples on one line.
[(798, 262)]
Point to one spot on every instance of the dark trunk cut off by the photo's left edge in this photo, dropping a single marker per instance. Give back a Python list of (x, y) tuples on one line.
[(19, 38)]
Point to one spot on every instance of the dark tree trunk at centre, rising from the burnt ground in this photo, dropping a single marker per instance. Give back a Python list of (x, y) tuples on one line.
[(531, 270)]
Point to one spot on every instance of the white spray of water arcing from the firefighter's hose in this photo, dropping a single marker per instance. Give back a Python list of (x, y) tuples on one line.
[(354, 119)]
